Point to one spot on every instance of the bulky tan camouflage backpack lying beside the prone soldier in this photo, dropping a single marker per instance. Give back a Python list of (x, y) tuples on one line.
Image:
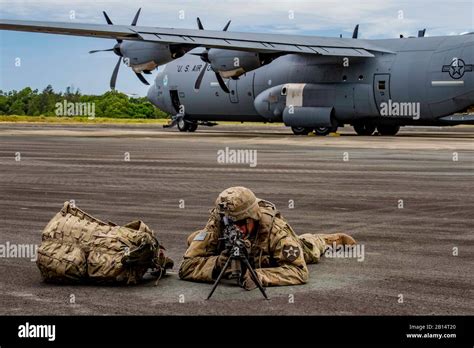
[(78, 248)]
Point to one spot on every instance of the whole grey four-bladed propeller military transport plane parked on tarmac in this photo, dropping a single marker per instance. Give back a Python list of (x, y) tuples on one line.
[(310, 83)]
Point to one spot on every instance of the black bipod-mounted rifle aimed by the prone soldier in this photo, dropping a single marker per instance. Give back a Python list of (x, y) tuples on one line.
[(235, 244)]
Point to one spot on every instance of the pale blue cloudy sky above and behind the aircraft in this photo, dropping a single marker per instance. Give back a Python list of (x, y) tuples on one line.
[(63, 60)]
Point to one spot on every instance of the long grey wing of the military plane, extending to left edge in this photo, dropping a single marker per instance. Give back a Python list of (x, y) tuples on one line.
[(263, 43)]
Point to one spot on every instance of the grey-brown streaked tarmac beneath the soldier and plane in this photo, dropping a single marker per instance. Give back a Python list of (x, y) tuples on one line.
[(407, 199)]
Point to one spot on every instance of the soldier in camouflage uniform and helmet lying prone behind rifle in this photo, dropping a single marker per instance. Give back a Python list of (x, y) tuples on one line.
[(278, 254)]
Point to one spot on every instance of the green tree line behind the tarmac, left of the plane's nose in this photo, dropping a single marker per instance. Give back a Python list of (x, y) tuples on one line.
[(45, 103)]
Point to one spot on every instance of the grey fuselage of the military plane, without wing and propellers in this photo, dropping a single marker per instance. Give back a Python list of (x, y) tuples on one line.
[(422, 81)]
